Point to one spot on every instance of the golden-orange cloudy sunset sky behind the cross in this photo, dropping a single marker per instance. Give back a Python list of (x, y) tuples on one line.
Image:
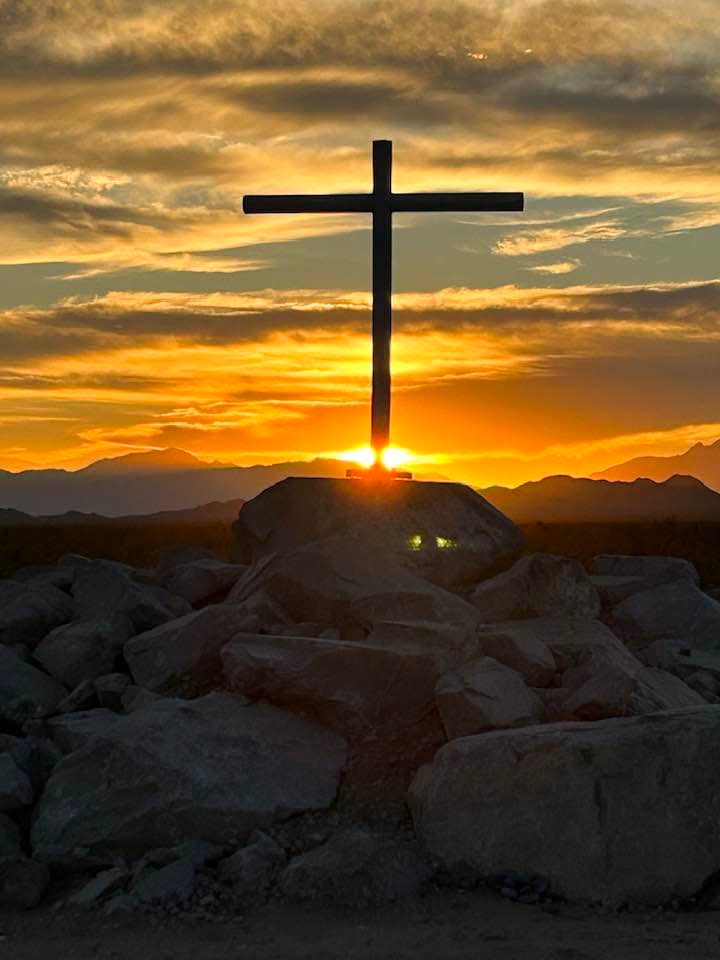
[(140, 309)]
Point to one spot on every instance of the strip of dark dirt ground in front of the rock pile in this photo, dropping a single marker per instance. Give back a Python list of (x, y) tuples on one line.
[(457, 926)]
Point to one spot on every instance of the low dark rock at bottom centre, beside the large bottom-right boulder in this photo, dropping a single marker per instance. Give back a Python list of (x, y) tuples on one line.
[(356, 868)]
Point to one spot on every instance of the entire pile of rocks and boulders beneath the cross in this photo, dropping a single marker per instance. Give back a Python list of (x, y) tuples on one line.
[(198, 736)]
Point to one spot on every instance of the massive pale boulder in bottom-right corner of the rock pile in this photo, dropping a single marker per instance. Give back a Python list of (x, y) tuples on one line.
[(617, 811)]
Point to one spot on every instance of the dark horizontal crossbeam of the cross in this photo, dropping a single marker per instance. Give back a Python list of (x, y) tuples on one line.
[(395, 202)]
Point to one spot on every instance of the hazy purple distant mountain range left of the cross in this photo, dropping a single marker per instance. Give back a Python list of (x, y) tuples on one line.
[(146, 483)]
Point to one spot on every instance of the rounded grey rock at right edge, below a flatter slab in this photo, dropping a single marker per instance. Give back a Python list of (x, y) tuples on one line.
[(677, 610)]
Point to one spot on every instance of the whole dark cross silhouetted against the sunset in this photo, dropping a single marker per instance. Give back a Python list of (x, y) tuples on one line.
[(382, 203)]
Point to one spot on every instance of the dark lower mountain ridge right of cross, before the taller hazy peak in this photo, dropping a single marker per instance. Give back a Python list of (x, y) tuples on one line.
[(578, 500)]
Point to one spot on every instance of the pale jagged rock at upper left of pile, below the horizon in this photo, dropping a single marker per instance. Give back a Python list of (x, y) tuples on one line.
[(100, 586)]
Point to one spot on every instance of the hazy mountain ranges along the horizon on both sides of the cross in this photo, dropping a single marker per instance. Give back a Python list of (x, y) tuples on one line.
[(175, 486)]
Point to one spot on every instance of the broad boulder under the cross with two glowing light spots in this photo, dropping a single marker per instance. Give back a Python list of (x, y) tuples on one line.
[(444, 532)]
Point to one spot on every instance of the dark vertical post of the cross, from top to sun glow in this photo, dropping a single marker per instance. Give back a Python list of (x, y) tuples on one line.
[(382, 293)]
